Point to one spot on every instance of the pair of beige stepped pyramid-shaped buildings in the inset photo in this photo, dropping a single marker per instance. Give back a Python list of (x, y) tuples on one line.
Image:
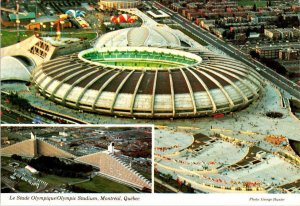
[(107, 161)]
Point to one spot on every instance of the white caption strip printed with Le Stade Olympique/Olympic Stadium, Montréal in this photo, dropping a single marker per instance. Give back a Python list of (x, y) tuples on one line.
[(179, 199)]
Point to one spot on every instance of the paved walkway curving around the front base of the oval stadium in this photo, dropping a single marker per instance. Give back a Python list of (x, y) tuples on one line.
[(252, 119)]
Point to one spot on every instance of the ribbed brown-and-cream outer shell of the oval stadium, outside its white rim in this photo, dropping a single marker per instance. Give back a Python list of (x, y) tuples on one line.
[(216, 84)]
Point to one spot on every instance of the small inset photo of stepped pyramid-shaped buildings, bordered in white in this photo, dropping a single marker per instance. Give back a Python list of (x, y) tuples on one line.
[(76, 159)]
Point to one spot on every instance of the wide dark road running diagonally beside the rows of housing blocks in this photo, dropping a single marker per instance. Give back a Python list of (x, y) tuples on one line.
[(265, 71)]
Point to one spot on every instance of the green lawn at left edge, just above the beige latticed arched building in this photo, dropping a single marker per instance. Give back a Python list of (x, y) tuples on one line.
[(10, 37)]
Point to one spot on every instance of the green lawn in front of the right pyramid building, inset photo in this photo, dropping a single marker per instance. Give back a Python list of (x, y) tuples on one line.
[(101, 184)]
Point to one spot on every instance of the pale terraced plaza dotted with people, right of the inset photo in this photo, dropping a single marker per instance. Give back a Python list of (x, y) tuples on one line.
[(214, 164)]
